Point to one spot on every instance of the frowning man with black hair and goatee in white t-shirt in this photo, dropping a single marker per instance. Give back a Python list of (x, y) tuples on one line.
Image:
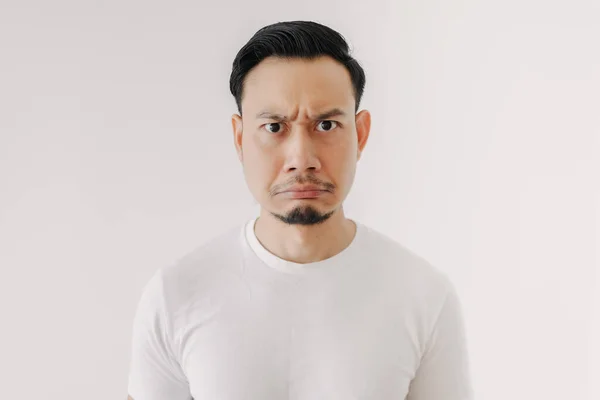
[(300, 303)]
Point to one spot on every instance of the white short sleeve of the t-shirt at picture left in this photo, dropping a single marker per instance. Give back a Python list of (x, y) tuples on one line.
[(154, 372)]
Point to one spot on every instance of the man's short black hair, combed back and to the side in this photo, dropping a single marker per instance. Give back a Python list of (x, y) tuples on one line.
[(294, 39)]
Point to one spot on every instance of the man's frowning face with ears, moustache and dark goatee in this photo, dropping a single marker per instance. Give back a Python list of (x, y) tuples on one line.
[(299, 128)]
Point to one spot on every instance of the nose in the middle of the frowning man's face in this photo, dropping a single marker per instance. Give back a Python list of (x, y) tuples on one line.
[(301, 154)]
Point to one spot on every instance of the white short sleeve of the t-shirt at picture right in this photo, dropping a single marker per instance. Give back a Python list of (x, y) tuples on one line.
[(444, 371)]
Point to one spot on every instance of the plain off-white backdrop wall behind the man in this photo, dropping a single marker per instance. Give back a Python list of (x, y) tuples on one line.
[(117, 157)]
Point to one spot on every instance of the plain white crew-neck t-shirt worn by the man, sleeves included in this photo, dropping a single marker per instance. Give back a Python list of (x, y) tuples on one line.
[(232, 321)]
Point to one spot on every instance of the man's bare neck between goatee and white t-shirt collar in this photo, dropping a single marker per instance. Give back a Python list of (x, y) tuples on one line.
[(305, 243)]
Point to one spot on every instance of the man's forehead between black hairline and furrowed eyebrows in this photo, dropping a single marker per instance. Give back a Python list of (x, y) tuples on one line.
[(286, 84)]
